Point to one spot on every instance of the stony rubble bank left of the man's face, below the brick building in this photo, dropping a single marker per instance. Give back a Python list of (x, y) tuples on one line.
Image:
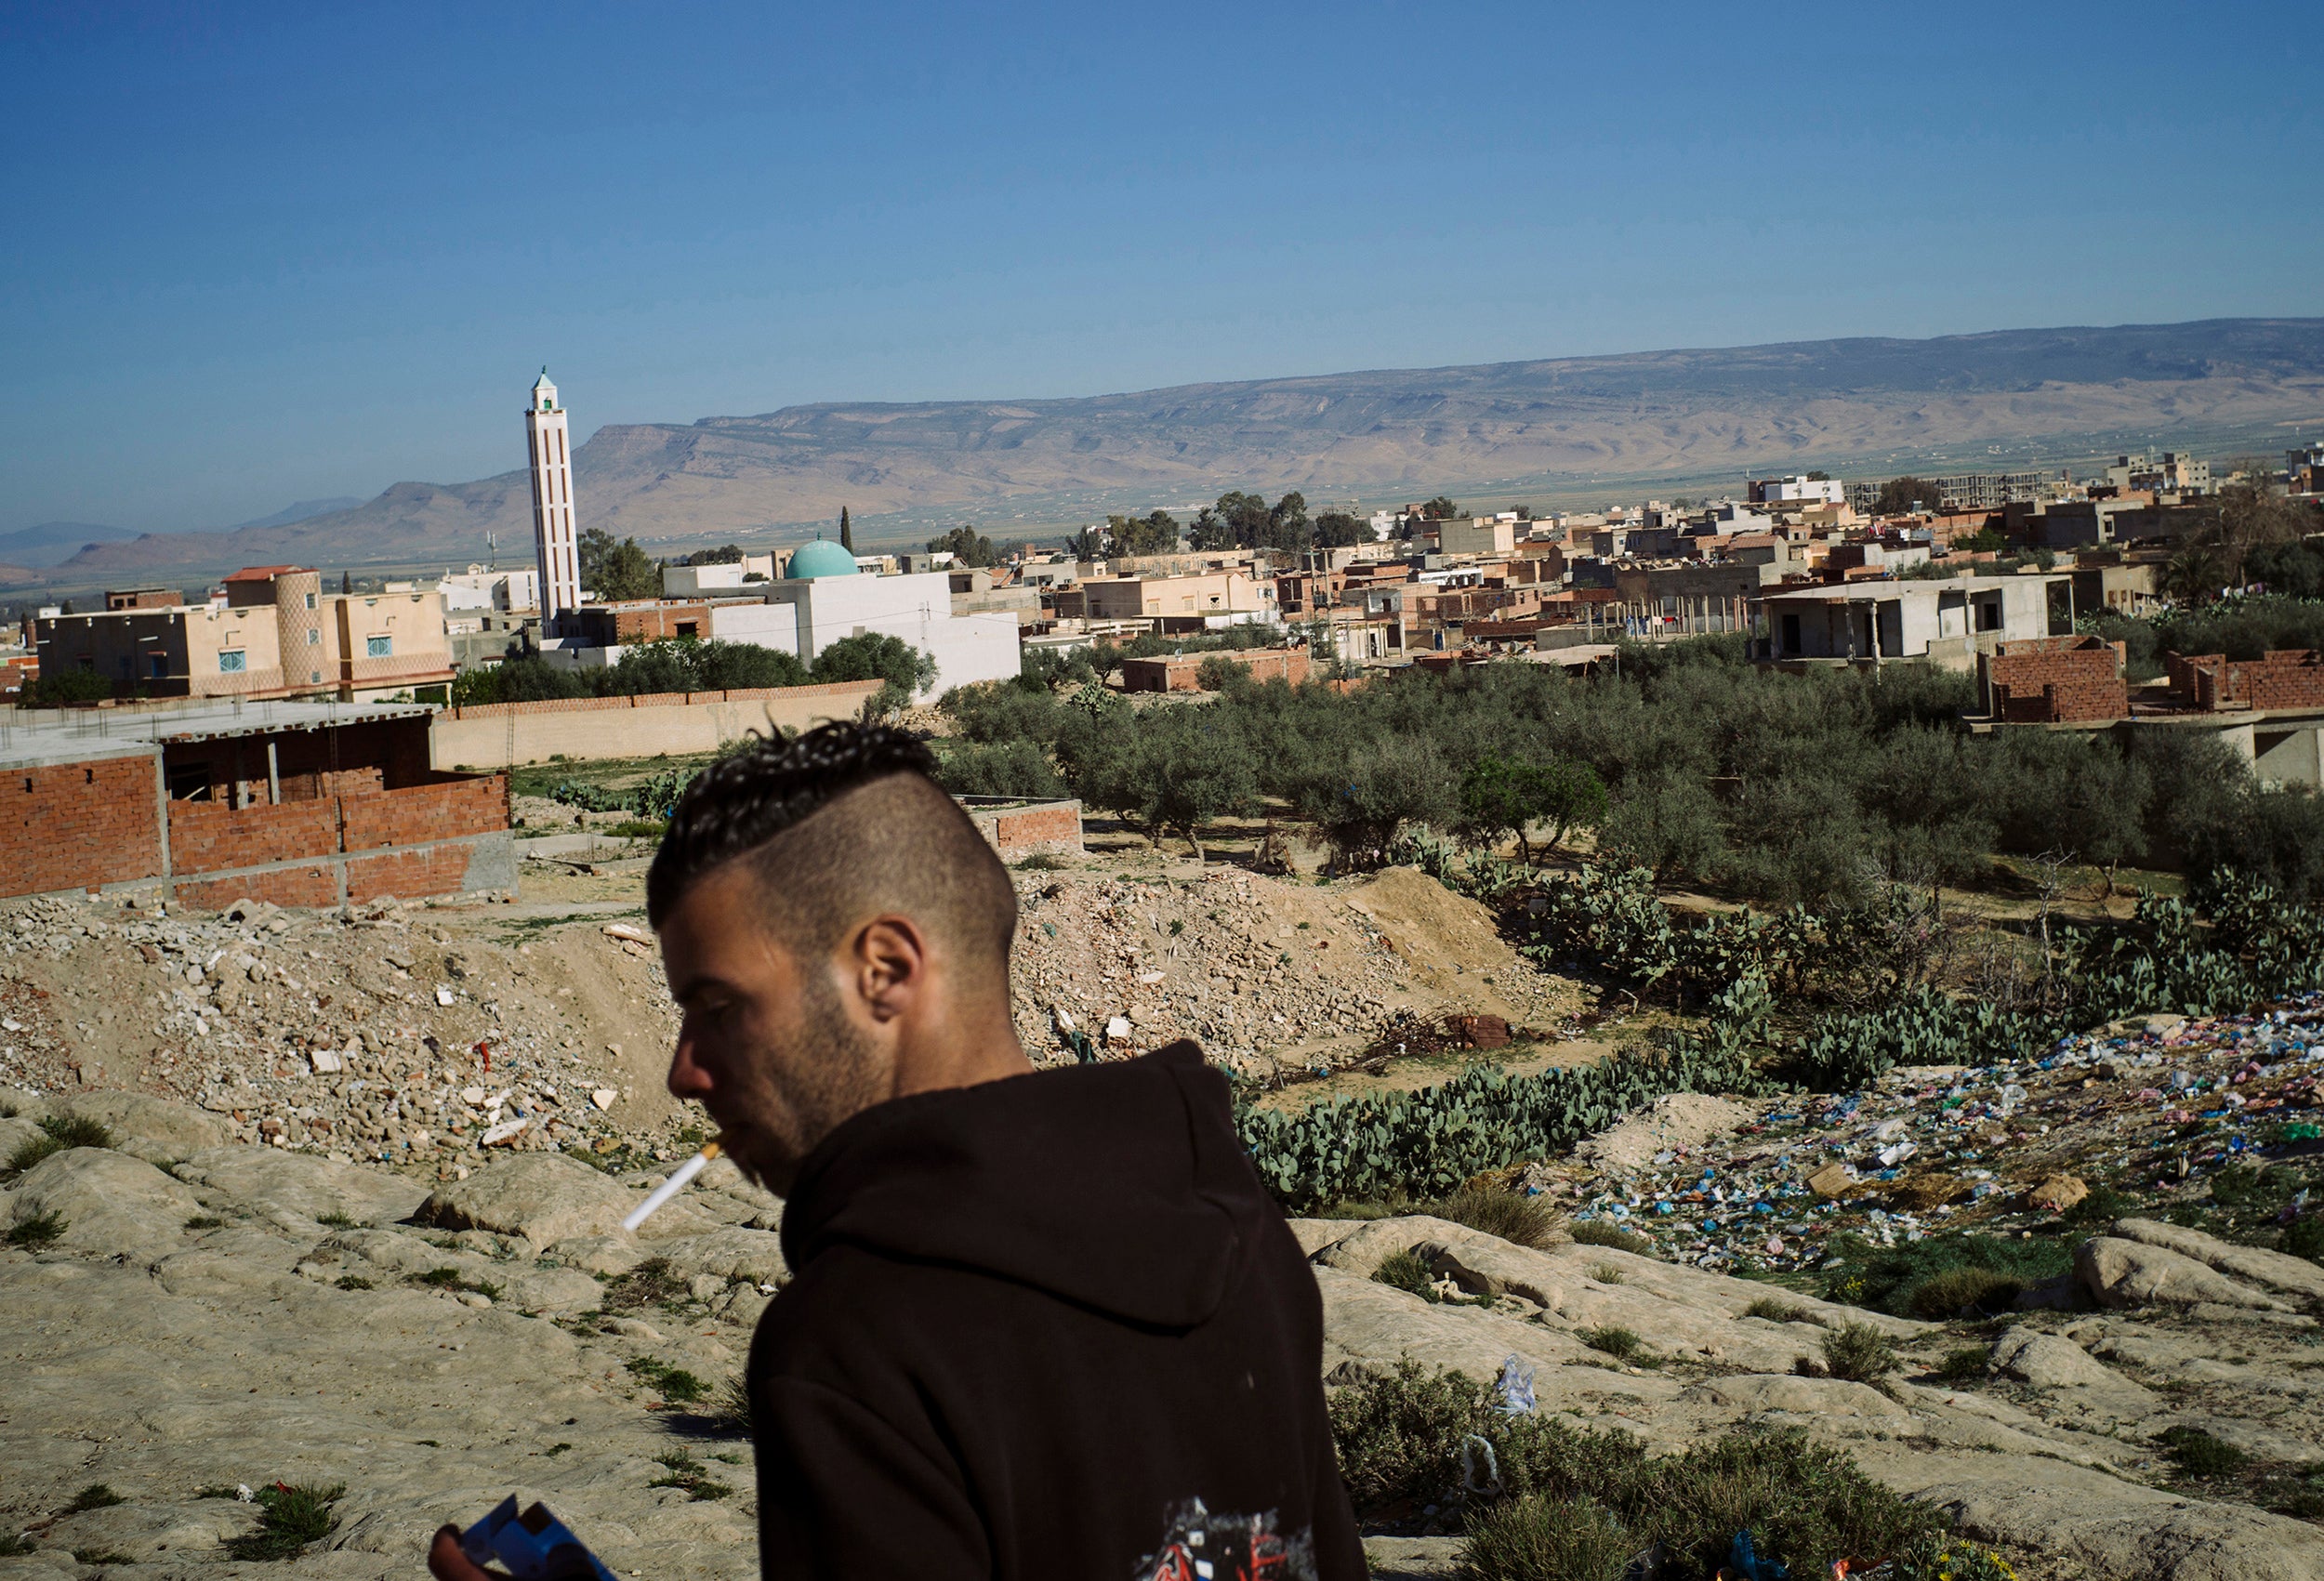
[(375, 1036)]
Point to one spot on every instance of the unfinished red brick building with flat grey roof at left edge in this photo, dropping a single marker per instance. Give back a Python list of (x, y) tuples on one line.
[(299, 803)]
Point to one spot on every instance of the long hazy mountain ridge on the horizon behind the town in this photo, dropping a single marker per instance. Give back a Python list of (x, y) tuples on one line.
[(1688, 413)]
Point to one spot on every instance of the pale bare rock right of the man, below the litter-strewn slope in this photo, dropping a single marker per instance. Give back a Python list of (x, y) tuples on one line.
[(2042, 1433)]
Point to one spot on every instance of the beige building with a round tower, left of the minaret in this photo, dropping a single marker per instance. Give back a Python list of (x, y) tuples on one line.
[(275, 636)]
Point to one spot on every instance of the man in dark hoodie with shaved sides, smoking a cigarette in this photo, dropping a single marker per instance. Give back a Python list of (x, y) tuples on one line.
[(1040, 1324)]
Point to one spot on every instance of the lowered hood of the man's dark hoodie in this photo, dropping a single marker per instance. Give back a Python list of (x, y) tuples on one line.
[(1061, 1180)]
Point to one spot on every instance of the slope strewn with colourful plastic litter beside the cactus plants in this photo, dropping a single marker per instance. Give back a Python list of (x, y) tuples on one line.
[(2156, 1108)]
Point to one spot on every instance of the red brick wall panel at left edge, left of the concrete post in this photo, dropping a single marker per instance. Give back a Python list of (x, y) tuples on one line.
[(78, 824)]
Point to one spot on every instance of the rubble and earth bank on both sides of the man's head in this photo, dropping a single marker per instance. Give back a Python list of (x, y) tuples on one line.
[(426, 1033)]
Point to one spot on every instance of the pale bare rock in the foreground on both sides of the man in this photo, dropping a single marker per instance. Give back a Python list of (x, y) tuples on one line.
[(213, 1317)]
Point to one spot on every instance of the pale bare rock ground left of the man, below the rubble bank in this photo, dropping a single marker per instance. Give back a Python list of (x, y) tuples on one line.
[(222, 1317)]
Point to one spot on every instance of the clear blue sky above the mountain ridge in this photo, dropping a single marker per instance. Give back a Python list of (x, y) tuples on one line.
[(259, 255)]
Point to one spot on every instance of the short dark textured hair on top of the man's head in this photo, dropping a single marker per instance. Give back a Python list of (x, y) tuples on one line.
[(752, 796)]
